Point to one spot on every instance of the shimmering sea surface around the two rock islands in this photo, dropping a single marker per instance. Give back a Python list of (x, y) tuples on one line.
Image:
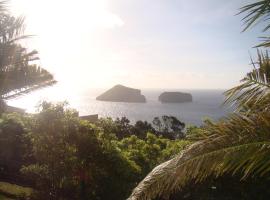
[(206, 104)]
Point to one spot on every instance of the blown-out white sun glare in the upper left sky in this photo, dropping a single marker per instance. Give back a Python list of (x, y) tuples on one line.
[(67, 36)]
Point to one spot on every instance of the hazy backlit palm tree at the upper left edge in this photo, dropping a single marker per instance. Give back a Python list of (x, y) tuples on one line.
[(18, 72)]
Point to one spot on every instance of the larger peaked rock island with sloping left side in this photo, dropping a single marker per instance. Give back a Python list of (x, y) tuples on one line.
[(120, 93)]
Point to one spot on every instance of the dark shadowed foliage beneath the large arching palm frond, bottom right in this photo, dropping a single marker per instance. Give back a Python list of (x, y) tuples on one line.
[(226, 187)]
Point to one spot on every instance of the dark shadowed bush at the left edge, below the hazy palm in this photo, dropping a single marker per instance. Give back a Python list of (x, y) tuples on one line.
[(14, 145)]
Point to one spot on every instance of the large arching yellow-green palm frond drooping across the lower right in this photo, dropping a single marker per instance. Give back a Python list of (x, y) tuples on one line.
[(238, 145)]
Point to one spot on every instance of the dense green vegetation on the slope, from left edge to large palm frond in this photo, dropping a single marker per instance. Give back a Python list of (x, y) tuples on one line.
[(64, 157)]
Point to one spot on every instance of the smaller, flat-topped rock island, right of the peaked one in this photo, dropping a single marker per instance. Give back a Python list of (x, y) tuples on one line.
[(175, 97)]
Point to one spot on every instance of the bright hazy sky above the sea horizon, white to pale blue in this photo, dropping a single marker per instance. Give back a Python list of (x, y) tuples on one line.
[(195, 44)]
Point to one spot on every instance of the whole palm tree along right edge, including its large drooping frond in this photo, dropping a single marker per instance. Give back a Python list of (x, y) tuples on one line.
[(238, 144)]
